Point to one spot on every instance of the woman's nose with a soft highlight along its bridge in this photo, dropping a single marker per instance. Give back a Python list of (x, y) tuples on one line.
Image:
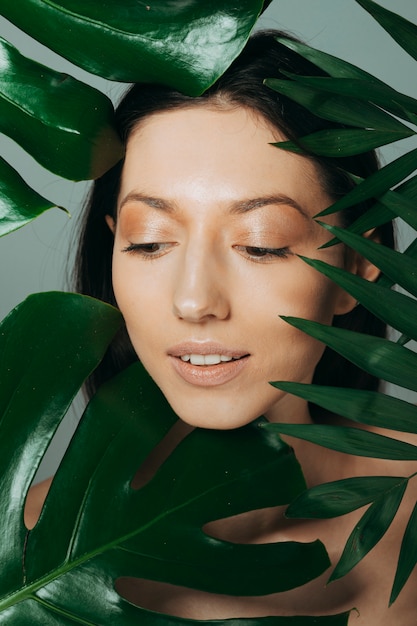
[(201, 292)]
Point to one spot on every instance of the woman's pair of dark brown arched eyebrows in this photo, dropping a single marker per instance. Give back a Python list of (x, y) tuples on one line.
[(238, 207)]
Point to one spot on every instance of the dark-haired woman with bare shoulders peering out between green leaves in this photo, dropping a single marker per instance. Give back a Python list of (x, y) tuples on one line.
[(196, 237)]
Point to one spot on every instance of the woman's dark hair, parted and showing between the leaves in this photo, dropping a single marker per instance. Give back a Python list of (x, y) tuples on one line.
[(242, 85)]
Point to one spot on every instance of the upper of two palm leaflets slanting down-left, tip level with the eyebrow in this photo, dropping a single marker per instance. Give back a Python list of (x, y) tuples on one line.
[(377, 184)]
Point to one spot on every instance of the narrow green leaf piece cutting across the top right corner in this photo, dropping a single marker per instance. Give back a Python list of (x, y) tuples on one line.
[(400, 29)]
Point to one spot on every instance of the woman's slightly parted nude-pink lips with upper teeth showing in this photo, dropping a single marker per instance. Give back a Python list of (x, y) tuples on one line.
[(207, 365)]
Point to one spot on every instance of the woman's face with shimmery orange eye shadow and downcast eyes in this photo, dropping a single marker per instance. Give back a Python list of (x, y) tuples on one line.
[(211, 219)]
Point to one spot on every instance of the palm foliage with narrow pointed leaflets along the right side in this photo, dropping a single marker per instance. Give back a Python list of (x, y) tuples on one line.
[(359, 100)]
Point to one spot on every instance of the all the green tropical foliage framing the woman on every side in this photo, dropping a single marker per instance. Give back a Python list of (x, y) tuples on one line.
[(64, 570)]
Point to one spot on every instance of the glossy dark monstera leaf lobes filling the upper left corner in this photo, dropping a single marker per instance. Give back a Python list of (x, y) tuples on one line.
[(68, 126)]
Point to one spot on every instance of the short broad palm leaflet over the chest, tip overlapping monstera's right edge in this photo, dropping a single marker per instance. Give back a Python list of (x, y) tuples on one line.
[(341, 496)]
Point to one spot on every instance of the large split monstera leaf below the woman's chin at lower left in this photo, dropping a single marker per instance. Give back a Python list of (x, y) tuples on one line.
[(95, 527)]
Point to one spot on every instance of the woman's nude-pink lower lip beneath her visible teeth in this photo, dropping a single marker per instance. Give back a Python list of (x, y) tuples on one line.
[(209, 375)]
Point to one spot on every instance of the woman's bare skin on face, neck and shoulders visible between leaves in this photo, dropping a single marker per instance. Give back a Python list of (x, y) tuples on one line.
[(210, 221)]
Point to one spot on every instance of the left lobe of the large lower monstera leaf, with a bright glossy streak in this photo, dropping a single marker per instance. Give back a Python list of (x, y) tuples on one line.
[(35, 393)]
